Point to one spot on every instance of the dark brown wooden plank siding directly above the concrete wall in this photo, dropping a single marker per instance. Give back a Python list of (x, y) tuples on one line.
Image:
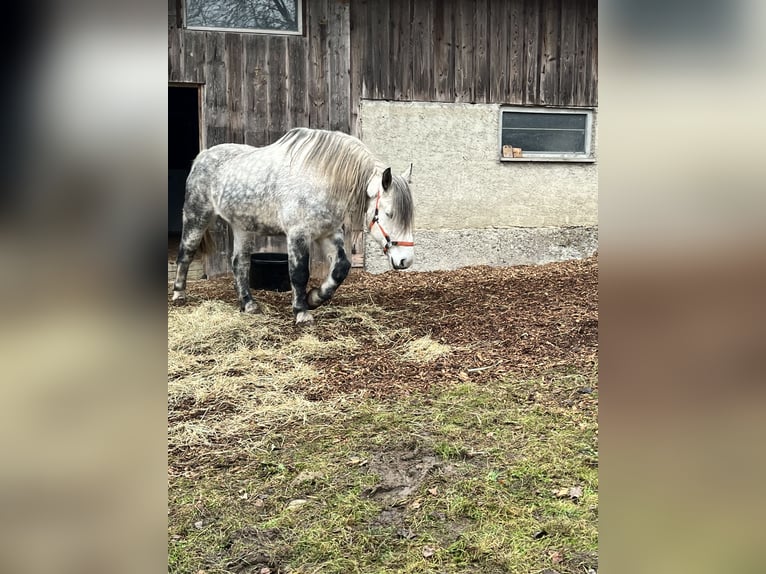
[(531, 52)]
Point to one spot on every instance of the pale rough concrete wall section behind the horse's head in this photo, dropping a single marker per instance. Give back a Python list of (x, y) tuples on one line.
[(471, 208)]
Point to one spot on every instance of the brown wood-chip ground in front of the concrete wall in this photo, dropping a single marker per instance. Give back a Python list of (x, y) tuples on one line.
[(524, 320)]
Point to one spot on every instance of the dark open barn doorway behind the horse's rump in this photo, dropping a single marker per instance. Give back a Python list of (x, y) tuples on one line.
[(183, 147)]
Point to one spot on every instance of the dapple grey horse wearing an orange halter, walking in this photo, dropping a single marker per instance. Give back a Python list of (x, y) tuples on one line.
[(302, 186)]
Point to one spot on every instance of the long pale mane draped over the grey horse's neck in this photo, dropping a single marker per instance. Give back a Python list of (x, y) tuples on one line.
[(341, 161)]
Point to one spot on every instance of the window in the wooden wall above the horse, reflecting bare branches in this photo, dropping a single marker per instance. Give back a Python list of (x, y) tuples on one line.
[(269, 16)]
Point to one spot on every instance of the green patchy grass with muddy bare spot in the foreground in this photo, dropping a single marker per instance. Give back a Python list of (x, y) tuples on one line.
[(479, 472)]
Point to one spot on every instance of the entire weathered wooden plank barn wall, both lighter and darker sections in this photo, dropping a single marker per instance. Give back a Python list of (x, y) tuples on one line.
[(254, 87)]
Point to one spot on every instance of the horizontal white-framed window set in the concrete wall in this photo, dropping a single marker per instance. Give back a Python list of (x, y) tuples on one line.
[(546, 134)]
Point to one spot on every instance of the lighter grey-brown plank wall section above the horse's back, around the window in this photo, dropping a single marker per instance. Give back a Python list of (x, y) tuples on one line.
[(258, 86)]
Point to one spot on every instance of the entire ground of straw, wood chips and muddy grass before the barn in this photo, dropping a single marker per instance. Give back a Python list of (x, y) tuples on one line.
[(431, 421)]
